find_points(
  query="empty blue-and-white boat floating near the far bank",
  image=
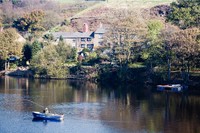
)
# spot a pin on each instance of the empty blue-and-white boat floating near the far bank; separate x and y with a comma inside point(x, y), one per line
point(171, 88)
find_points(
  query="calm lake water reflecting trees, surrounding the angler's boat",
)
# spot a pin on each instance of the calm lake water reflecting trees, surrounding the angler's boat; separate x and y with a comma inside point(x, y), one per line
point(90, 108)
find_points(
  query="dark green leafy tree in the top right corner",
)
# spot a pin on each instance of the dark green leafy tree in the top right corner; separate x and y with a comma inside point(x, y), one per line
point(185, 13)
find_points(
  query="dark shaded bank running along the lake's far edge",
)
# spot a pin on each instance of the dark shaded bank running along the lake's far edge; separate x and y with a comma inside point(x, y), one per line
point(114, 76)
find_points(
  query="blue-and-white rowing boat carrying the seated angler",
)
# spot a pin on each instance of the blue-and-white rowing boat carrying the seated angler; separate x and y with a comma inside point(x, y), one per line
point(48, 116)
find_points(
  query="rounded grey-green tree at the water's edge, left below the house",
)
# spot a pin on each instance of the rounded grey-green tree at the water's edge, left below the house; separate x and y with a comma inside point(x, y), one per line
point(47, 62)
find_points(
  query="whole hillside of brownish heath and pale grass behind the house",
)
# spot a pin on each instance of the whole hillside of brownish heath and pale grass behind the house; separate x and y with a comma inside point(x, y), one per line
point(68, 15)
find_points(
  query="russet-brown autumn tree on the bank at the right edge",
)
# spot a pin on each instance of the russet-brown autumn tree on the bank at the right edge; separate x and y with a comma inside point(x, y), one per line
point(184, 46)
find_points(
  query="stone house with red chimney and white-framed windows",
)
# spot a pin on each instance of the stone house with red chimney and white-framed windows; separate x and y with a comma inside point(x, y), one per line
point(86, 39)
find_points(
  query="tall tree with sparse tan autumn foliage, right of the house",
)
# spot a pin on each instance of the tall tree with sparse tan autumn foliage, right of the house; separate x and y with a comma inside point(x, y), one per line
point(126, 35)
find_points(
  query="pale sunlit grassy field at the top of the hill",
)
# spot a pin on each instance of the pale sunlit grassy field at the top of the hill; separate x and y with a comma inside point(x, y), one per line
point(115, 4)
